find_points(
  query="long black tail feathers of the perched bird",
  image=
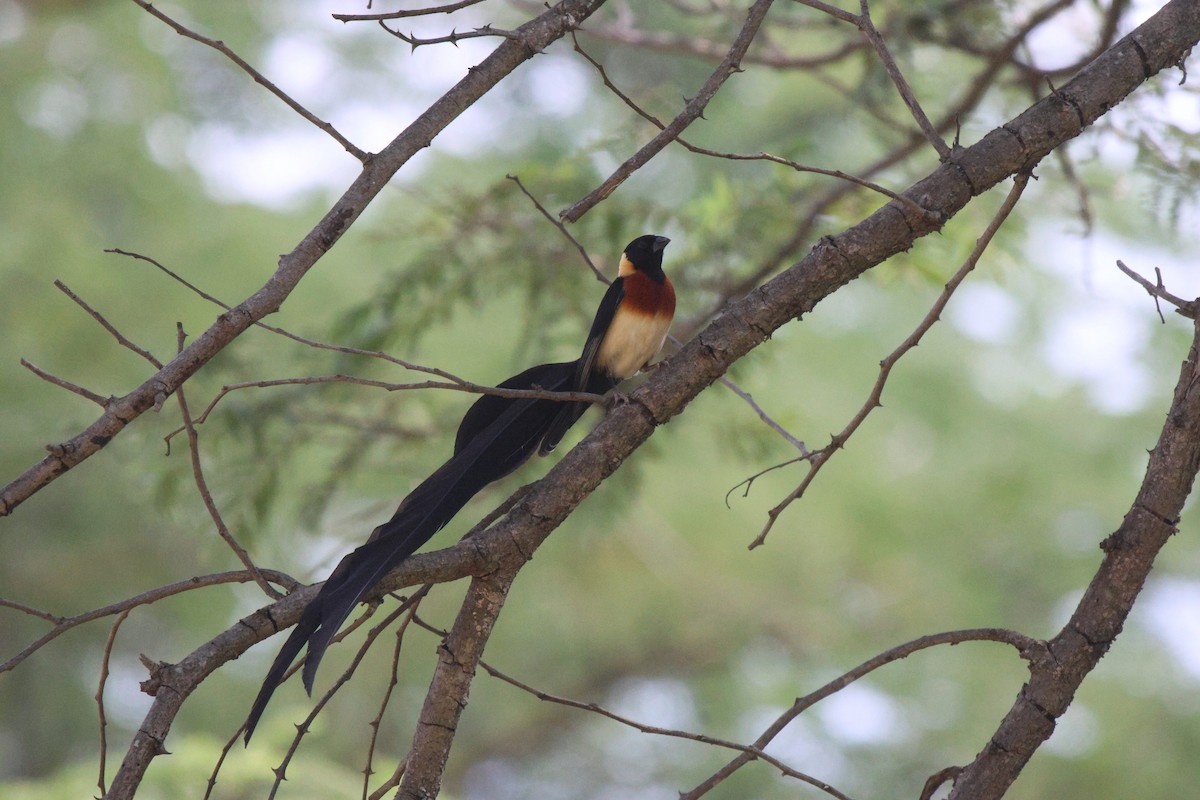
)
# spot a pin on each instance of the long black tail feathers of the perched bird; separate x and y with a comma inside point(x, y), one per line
point(496, 436)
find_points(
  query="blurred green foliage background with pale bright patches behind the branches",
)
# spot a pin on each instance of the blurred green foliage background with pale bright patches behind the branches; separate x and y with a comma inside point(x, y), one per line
point(1010, 444)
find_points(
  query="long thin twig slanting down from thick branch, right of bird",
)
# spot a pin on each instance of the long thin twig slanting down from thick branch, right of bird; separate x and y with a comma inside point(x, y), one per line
point(874, 400)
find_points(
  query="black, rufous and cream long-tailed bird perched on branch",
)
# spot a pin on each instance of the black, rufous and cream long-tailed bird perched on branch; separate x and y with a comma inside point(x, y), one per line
point(496, 437)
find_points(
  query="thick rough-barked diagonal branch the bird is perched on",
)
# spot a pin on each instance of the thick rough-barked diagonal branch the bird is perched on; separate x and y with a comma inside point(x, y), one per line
point(1017, 147)
